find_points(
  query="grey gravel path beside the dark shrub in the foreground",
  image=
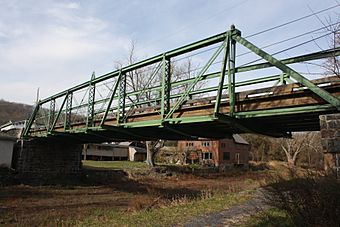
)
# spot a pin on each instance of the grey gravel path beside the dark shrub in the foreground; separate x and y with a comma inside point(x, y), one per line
point(231, 216)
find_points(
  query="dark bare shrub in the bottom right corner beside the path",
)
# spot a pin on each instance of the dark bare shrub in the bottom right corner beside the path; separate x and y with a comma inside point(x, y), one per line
point(308, 201)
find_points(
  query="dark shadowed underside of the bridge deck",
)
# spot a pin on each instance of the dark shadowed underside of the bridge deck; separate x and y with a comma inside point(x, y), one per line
point(214, 128)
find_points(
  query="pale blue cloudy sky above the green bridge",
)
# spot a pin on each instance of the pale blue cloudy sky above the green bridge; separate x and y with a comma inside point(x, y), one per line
point(55, 45)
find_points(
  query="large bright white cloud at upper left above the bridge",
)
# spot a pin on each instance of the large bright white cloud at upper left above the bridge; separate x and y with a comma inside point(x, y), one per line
point(58, 52)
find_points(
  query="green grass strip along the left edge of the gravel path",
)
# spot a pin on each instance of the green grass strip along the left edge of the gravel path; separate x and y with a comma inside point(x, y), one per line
point(176, 213)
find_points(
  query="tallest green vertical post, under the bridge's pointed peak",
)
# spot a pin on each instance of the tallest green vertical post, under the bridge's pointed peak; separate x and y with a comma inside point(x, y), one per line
point(231, 73)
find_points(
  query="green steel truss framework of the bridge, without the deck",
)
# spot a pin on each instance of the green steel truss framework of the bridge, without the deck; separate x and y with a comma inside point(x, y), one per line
point(168, 103)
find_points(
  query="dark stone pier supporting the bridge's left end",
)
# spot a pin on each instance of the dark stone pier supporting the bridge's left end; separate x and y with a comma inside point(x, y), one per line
point(42, 158)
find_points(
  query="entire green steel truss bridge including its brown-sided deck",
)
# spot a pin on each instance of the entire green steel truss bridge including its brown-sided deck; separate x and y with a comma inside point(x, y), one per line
point(150, 100)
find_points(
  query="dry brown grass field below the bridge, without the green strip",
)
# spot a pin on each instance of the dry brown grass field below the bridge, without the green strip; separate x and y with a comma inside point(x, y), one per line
point(51, 205)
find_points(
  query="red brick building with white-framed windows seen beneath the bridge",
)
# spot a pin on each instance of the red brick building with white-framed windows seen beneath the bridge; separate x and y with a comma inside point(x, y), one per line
point(222, 153)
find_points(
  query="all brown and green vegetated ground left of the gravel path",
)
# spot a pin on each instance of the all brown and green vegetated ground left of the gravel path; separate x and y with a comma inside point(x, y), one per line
point(113, 195)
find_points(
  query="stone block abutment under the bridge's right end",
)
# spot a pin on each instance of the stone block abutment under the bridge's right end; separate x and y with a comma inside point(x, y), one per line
point(330, 139)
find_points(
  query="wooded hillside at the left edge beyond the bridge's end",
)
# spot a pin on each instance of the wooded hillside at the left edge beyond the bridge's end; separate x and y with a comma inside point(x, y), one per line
point(11, 111)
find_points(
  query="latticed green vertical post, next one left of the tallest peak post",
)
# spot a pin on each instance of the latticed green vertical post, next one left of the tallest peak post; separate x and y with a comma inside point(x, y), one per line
point(166, 86)
